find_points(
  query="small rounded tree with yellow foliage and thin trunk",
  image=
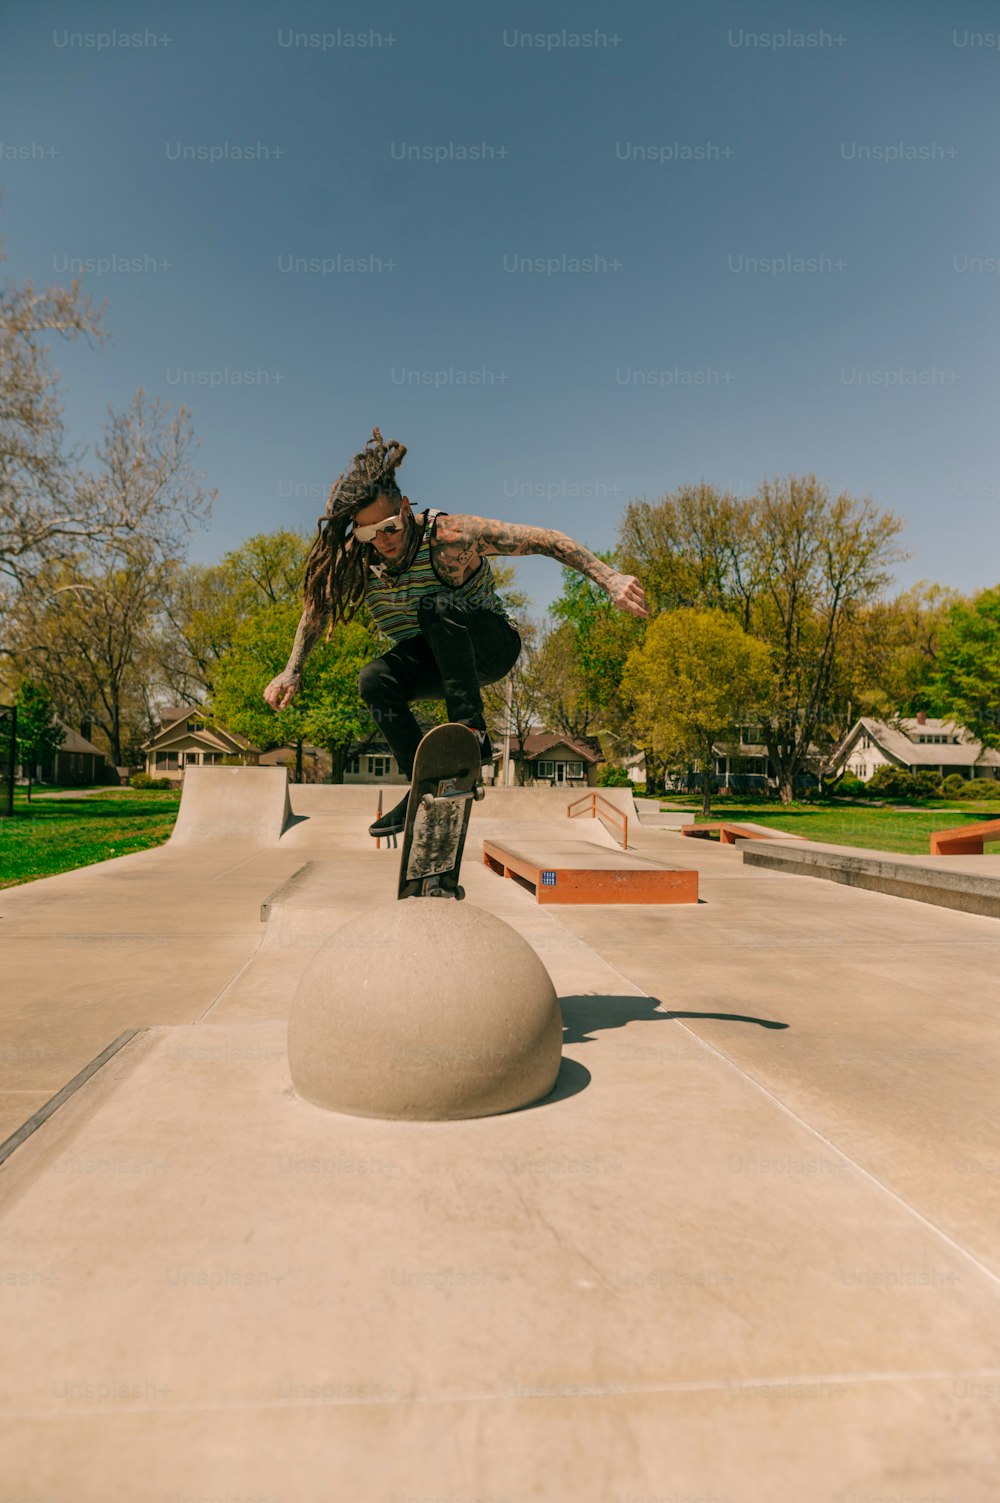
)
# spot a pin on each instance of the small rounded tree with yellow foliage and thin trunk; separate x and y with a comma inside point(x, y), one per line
point(695, 679)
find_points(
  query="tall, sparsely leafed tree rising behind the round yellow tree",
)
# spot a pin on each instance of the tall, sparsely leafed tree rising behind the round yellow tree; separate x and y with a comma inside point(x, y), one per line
point(793, 567)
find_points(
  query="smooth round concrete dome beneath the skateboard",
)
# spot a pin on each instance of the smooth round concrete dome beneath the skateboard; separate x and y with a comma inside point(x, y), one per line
point(426, 1009)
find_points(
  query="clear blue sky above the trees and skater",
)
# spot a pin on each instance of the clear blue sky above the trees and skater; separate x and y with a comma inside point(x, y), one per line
point(569, 255)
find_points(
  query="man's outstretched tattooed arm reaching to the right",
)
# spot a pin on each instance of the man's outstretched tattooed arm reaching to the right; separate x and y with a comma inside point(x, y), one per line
point(459, 543)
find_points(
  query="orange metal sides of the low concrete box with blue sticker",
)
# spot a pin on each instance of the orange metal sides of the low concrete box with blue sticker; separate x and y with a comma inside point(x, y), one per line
point(592, 885)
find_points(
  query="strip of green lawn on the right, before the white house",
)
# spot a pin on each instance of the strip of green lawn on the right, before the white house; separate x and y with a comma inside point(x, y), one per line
point(905, 830)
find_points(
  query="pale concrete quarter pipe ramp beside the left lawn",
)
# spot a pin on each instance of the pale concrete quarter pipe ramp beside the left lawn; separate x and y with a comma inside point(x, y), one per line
point(232, 805)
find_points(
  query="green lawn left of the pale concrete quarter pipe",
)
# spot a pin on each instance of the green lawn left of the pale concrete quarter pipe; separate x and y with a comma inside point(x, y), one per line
point(59, 835)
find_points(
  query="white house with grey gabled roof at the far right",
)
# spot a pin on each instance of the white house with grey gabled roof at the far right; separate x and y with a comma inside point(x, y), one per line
point(918, 745)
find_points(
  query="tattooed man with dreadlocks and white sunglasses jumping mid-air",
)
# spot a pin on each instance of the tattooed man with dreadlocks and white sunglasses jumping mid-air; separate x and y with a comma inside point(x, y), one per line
point(429, 587)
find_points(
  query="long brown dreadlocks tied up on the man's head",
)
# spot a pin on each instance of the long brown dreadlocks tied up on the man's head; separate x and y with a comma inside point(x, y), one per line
point(338, 564)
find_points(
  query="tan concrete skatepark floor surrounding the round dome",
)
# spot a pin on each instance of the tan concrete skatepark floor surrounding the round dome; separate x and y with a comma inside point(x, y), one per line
point(747, 1250)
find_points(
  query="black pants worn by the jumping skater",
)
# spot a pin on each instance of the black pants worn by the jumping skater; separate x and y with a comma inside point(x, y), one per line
point(459, 649)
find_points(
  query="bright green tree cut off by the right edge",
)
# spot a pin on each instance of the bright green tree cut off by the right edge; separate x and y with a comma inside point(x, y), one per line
point(966, 679)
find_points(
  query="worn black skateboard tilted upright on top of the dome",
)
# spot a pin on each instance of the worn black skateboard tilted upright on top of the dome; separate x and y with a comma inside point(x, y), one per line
point(446, 781)
